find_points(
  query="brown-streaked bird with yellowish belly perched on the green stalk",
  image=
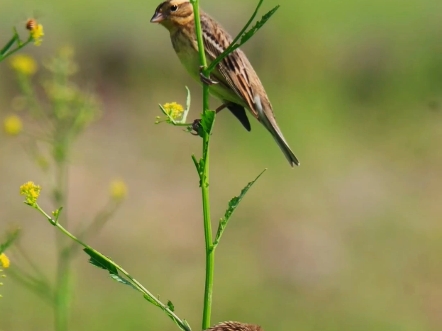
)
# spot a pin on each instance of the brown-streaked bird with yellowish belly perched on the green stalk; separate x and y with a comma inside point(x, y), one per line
point(233, 81)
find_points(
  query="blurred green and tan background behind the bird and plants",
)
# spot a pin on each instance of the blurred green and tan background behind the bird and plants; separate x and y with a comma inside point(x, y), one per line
point(351, 240)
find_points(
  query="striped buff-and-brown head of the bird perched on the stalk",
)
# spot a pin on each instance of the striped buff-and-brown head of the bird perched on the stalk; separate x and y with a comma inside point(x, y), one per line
point(173, 13)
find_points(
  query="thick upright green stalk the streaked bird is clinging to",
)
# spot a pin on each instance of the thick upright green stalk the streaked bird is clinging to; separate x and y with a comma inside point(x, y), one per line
point(204, 179)
